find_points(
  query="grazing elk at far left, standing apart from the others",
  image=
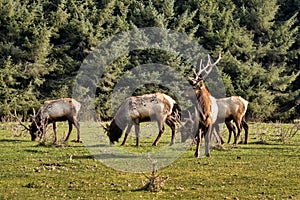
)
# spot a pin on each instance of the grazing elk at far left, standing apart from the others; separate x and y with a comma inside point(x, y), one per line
point(65, 109)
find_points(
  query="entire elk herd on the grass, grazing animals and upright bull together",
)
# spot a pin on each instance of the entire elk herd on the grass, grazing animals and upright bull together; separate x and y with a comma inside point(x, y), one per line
point(208, 113)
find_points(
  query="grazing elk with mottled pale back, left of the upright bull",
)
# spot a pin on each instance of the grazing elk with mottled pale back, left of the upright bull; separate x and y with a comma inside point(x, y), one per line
point(136, 109)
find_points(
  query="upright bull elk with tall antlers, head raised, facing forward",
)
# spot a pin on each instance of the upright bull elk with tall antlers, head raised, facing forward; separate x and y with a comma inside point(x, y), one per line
point(205, 105)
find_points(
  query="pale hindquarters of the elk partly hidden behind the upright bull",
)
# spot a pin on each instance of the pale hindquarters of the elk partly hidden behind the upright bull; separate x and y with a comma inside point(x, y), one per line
point(232, 108)
